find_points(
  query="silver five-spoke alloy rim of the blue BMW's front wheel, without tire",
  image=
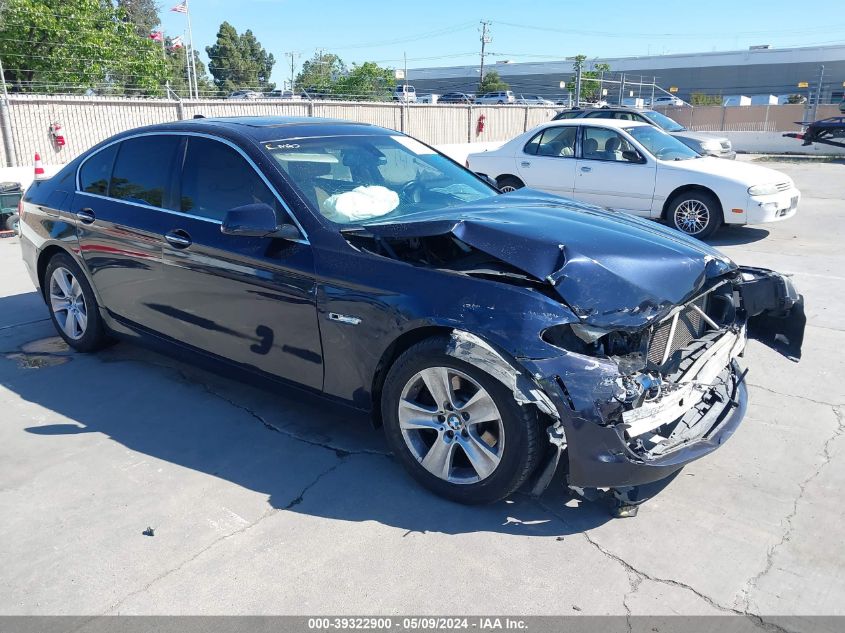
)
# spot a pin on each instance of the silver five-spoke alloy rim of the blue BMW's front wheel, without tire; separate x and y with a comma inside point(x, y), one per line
point(451, 425)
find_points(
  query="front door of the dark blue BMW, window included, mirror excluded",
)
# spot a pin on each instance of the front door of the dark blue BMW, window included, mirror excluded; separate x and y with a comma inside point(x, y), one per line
point(250, 300)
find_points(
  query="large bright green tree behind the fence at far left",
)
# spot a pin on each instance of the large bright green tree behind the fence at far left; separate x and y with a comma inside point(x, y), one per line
point(75, 46)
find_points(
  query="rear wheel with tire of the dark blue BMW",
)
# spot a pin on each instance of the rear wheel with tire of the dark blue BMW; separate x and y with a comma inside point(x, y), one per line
point(73, 306)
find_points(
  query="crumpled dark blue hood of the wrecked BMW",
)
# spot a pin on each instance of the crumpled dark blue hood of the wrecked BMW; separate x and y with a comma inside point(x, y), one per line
point(611, 268)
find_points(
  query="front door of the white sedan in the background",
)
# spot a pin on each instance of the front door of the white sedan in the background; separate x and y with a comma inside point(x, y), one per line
point(606, 178)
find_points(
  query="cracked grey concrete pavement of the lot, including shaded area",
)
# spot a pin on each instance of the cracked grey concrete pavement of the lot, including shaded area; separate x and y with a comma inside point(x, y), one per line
point(268, 503)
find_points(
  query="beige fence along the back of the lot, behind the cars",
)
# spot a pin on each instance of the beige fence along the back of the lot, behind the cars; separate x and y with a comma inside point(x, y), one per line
point(89, 120)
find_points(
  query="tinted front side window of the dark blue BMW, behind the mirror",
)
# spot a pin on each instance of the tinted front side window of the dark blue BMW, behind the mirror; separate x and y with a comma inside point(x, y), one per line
point(216, 178)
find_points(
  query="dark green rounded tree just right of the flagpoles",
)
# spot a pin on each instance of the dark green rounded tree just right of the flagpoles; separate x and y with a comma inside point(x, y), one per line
point(239, 62)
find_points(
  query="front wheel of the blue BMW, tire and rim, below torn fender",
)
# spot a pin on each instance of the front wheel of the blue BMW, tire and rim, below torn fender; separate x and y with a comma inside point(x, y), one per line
point(456, 429)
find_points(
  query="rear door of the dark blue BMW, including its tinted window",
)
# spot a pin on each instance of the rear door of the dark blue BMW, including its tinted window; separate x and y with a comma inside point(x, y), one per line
point(124, 196)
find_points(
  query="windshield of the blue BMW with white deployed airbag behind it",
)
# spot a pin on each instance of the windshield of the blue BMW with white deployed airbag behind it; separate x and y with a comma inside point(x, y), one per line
point(353, 179)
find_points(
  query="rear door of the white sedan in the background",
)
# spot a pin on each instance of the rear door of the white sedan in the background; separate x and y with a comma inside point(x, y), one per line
point(547, 161)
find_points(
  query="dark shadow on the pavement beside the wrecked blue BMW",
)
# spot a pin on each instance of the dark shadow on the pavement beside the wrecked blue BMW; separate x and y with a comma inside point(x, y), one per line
point(265, 442)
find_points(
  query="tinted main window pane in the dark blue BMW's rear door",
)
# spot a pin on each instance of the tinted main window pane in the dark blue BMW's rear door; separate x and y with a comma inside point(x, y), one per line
point(144, 170)
